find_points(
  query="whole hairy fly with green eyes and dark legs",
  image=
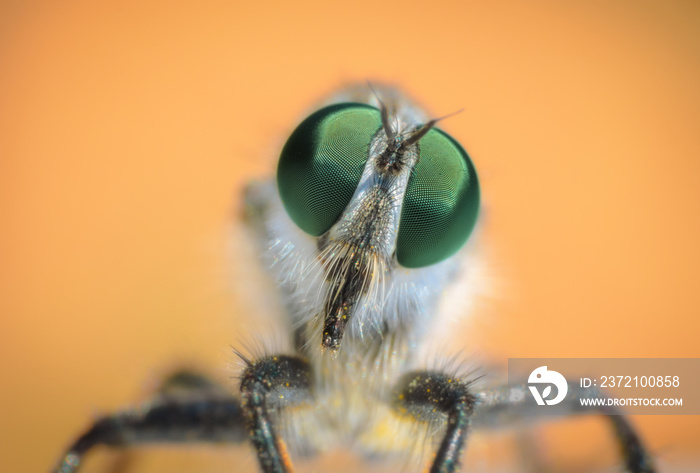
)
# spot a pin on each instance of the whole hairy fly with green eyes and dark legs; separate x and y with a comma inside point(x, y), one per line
point(362, 232)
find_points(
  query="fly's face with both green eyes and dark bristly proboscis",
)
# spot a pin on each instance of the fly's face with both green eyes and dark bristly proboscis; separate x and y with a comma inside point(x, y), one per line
point(379, 196)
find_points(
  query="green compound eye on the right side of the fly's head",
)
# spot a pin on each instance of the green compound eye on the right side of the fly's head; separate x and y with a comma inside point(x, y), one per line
point(441, 203)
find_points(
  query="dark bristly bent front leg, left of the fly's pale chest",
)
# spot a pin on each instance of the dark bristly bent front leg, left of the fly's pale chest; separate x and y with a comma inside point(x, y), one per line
point(272, 382)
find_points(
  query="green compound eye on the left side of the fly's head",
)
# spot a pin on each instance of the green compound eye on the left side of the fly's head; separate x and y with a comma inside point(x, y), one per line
point(322, 162)
